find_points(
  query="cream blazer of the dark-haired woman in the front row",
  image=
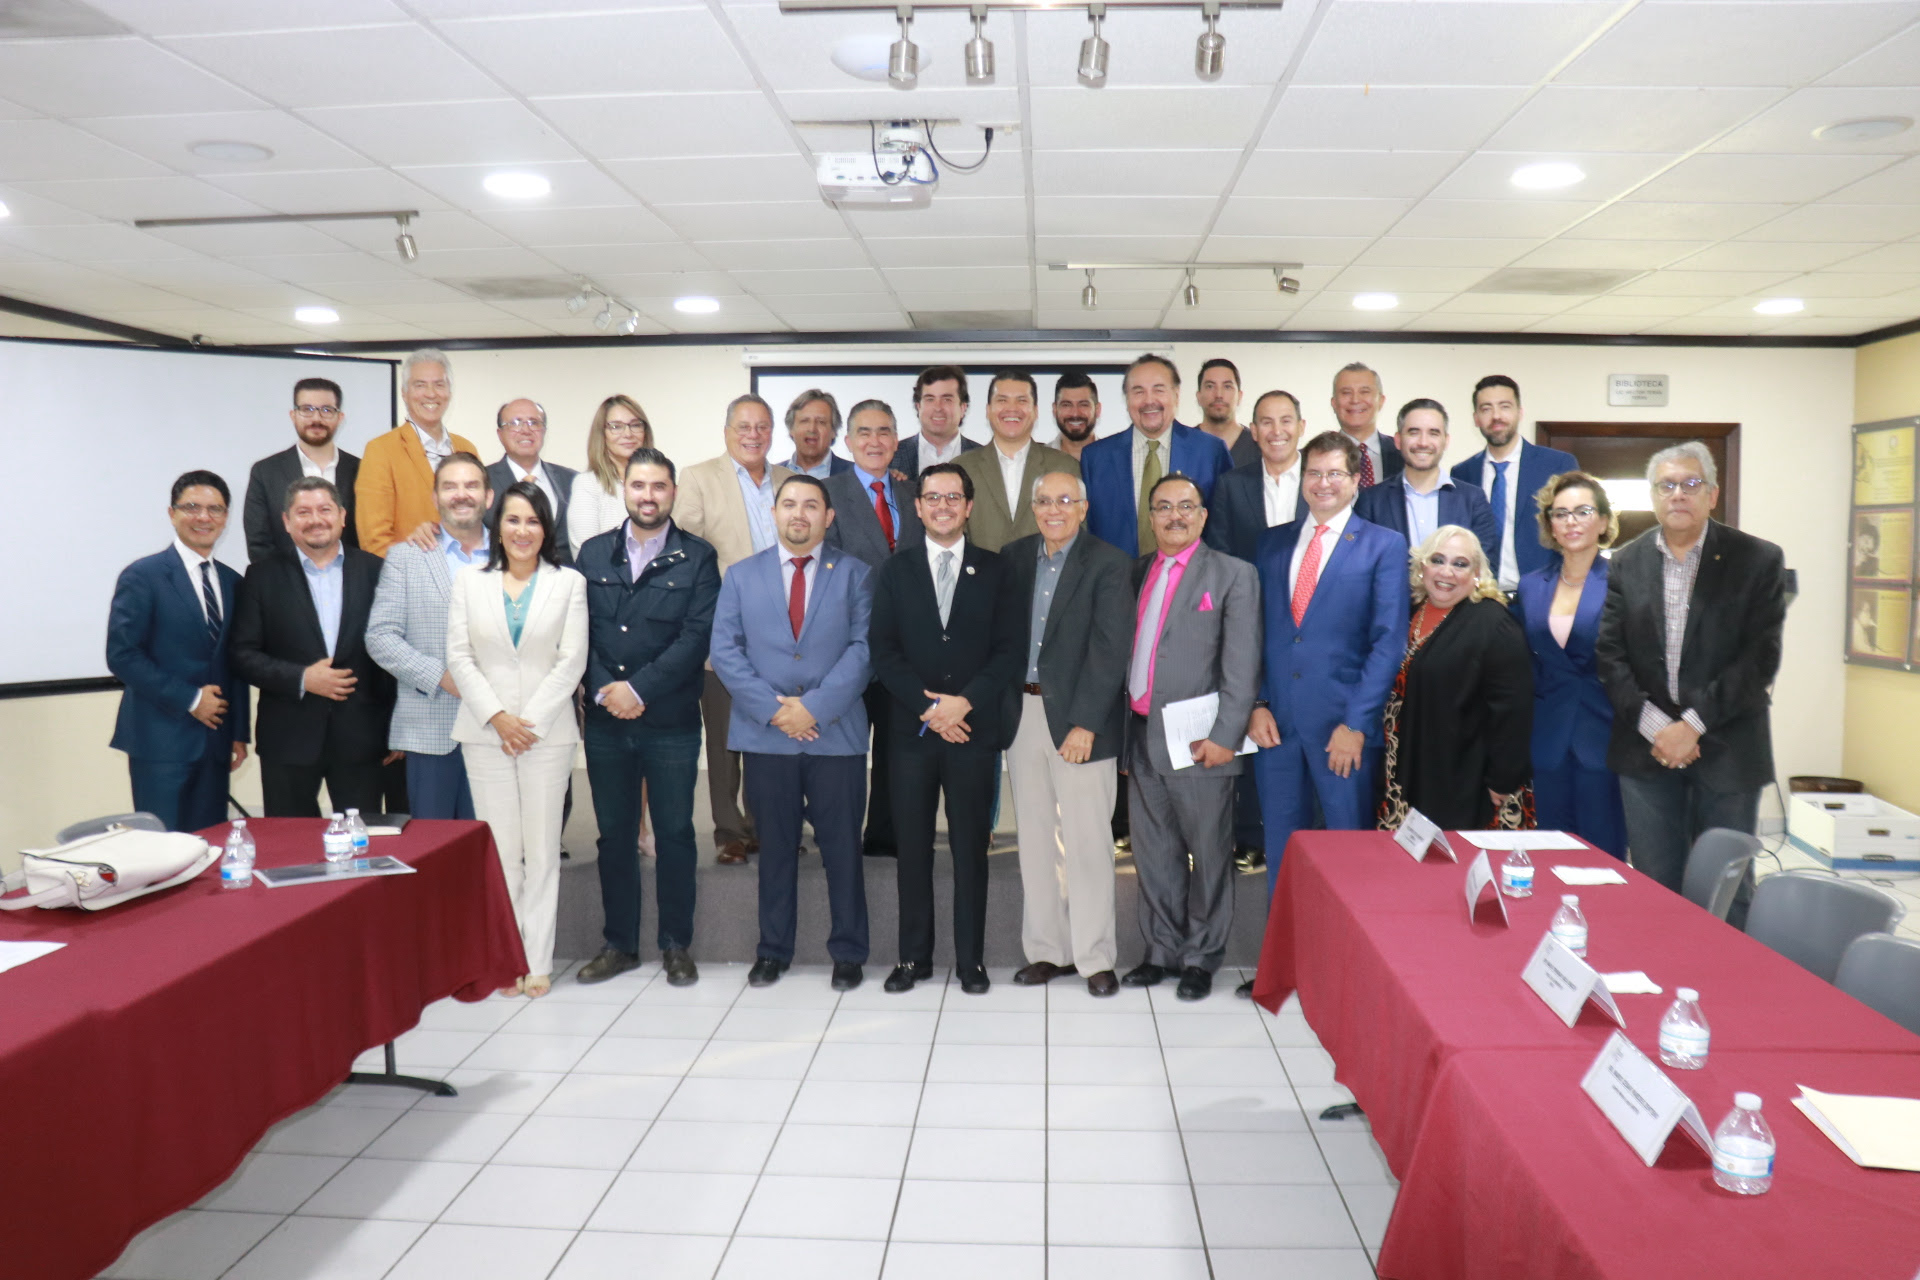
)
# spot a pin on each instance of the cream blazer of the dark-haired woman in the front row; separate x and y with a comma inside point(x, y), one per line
point(535, 682)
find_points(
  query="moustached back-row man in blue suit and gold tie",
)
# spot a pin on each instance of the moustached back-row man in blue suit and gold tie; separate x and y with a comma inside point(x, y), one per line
point(1122, 469)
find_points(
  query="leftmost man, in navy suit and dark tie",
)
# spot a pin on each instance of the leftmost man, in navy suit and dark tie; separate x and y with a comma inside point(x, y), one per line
point(168, 632)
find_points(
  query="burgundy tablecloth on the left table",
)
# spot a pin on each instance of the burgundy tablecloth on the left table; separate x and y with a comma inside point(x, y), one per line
point(143, 1062)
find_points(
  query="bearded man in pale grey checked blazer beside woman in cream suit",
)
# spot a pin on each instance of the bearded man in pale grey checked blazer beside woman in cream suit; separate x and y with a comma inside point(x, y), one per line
point(408, 638)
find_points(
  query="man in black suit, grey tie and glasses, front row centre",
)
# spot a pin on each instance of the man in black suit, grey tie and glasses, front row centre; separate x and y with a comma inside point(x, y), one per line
point(946, 640)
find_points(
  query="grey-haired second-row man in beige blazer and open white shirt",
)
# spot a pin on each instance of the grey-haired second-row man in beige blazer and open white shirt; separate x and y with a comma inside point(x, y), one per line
point(729, 502)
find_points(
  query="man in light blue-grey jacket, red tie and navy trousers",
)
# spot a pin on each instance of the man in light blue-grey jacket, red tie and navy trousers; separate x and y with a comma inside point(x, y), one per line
point(790, 644)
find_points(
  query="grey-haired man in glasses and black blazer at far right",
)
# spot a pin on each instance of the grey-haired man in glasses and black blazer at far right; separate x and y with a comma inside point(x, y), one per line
point(1689, 652)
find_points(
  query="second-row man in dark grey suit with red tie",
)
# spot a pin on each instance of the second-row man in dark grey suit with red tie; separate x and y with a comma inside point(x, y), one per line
point(875, 515)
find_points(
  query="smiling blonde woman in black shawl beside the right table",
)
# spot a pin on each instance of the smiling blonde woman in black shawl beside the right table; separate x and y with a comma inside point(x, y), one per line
point(1460, 717)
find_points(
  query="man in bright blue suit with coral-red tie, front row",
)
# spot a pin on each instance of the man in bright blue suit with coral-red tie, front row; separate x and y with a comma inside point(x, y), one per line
point(1335, 598)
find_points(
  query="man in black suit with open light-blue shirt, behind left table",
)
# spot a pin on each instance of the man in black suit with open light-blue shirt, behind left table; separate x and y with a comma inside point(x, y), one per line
point(300, 638)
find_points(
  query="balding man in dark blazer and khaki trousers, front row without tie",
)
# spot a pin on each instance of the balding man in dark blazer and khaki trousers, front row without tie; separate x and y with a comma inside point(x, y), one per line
point(1072, 723)
